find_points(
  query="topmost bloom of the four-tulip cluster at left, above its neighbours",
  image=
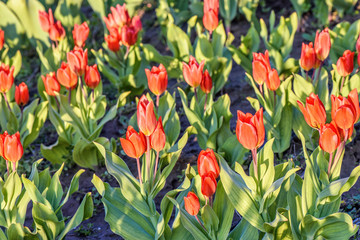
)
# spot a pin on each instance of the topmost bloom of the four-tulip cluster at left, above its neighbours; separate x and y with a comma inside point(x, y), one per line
point(77, 60)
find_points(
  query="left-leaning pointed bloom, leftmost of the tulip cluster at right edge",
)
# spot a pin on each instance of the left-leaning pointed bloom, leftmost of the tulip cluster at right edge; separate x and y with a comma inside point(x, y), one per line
point(313, 111)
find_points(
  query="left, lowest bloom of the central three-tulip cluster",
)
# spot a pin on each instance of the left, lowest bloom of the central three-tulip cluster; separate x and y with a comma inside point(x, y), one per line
point(134, 144)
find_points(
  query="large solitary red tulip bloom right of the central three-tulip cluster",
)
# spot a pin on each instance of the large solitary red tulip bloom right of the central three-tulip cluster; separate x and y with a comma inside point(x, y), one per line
point(250, 129)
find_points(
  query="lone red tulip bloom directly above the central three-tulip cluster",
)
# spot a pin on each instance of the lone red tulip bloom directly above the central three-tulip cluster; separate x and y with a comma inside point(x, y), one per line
point(157, 79)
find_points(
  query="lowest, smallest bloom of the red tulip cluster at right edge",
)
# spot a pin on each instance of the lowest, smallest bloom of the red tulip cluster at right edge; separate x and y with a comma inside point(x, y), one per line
point(329, 139)
